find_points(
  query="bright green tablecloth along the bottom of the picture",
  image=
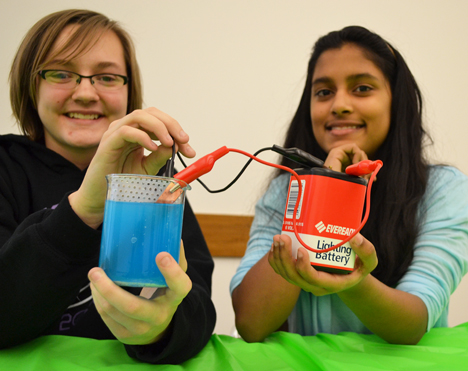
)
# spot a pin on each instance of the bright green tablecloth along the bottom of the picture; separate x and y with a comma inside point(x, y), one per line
point(440, 349)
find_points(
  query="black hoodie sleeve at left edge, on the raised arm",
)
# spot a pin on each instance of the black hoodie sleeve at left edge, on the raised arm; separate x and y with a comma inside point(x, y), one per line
point(43, 264)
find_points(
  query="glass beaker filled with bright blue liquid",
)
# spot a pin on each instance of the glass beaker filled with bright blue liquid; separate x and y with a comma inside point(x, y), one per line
point(142, 216)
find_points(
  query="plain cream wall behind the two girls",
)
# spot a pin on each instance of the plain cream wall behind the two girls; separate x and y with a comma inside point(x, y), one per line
point(232, 72)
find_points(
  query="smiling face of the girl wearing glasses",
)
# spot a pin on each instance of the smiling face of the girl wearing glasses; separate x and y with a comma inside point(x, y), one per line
point(75, 119)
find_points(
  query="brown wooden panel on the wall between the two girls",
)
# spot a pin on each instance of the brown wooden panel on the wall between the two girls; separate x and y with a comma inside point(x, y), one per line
point(226, 235)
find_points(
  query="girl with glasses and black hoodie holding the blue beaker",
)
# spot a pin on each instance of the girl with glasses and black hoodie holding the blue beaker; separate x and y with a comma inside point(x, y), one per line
point(76, 94)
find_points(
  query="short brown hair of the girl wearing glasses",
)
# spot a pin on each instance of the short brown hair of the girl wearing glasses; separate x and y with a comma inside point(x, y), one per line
point(34, 53)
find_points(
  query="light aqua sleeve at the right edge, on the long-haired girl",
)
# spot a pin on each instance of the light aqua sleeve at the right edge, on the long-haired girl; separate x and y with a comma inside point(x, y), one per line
point(441, 250)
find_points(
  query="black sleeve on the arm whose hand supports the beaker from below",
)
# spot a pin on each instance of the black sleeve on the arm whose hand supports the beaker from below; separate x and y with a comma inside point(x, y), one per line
point(194, 320)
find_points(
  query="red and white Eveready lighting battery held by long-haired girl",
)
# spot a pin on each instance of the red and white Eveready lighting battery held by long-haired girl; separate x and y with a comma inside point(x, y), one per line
point(330, 210)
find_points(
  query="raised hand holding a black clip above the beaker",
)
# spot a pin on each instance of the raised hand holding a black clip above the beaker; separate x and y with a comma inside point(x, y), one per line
point(121, 150)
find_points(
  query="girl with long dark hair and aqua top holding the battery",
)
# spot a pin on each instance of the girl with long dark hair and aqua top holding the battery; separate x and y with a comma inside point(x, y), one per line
point(360, 102)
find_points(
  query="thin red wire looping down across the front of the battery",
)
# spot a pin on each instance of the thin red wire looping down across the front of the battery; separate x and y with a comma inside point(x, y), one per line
point(363, 222)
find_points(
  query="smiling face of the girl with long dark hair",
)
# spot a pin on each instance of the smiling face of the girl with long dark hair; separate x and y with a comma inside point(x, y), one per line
point(351, 100)
